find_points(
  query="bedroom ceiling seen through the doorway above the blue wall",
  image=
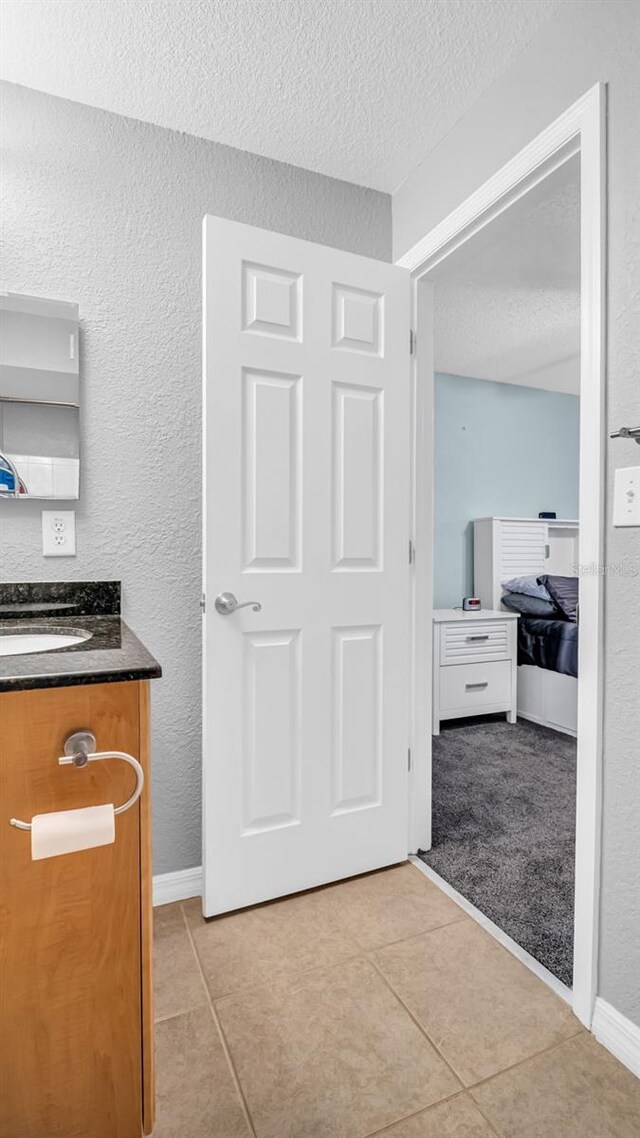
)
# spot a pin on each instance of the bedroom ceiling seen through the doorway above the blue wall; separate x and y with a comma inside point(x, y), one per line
point(507, 304)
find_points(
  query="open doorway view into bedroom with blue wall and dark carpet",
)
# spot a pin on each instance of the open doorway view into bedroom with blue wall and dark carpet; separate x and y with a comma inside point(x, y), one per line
point(507, 336)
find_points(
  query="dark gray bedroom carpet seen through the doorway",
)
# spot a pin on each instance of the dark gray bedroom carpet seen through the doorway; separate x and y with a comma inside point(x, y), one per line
point(504, 830)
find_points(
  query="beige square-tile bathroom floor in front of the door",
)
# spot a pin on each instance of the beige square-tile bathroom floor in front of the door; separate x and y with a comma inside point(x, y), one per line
point(371, 1008)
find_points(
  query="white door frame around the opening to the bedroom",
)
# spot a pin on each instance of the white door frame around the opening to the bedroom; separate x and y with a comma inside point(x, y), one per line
point(580, 130)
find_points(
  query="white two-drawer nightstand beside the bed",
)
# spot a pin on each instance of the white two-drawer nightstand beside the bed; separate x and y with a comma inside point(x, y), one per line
point(475, 664)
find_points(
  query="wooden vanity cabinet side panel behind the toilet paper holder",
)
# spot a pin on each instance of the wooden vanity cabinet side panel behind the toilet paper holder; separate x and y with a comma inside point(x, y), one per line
point(76, 930)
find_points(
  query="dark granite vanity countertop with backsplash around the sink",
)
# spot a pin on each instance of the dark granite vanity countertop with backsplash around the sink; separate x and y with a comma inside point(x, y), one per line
point(113, 654)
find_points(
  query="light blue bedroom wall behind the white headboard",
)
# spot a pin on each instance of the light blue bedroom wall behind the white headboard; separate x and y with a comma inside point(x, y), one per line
point(503, 451)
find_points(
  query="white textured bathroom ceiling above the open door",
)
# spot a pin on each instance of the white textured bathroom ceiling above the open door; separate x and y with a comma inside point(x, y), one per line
point(356, 89)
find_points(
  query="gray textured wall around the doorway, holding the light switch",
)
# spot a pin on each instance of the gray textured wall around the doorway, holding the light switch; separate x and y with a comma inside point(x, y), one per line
point(592, 42)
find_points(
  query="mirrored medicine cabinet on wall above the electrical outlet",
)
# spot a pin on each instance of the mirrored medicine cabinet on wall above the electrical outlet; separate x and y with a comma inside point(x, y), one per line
point(39, 398)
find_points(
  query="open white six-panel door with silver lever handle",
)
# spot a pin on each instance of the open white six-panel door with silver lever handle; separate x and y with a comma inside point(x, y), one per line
point(307, 513)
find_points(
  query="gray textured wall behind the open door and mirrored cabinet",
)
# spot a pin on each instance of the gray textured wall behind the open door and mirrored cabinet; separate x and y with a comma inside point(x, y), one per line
point(108, 212)
